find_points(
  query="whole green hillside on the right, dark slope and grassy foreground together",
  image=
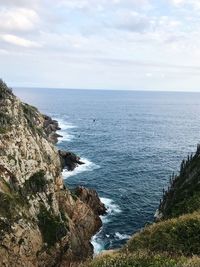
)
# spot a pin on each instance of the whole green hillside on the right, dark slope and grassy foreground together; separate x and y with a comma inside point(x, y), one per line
point(174, 239)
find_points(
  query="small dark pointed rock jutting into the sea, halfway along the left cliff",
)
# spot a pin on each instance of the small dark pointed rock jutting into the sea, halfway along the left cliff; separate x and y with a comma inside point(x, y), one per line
point(69, 160)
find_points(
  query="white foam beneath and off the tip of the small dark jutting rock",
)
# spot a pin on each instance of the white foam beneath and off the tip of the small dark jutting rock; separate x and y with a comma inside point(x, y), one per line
point(88, 166)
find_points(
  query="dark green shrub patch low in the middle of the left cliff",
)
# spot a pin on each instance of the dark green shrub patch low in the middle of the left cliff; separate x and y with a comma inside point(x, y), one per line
point(51, 226)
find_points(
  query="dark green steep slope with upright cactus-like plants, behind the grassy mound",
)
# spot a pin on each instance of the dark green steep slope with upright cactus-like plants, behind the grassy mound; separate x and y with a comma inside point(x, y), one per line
point(183, 195)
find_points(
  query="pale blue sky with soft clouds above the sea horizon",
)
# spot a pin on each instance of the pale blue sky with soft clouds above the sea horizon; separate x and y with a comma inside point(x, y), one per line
point(101, 44)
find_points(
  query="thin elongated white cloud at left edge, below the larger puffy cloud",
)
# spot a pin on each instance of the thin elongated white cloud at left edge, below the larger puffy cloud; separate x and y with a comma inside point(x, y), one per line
point(15, 40)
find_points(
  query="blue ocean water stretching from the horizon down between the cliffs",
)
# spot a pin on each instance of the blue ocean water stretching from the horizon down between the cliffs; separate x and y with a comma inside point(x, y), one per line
point(131, 142)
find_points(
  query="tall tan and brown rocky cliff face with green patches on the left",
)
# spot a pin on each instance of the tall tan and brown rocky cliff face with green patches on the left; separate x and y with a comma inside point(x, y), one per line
point(41, 222)
